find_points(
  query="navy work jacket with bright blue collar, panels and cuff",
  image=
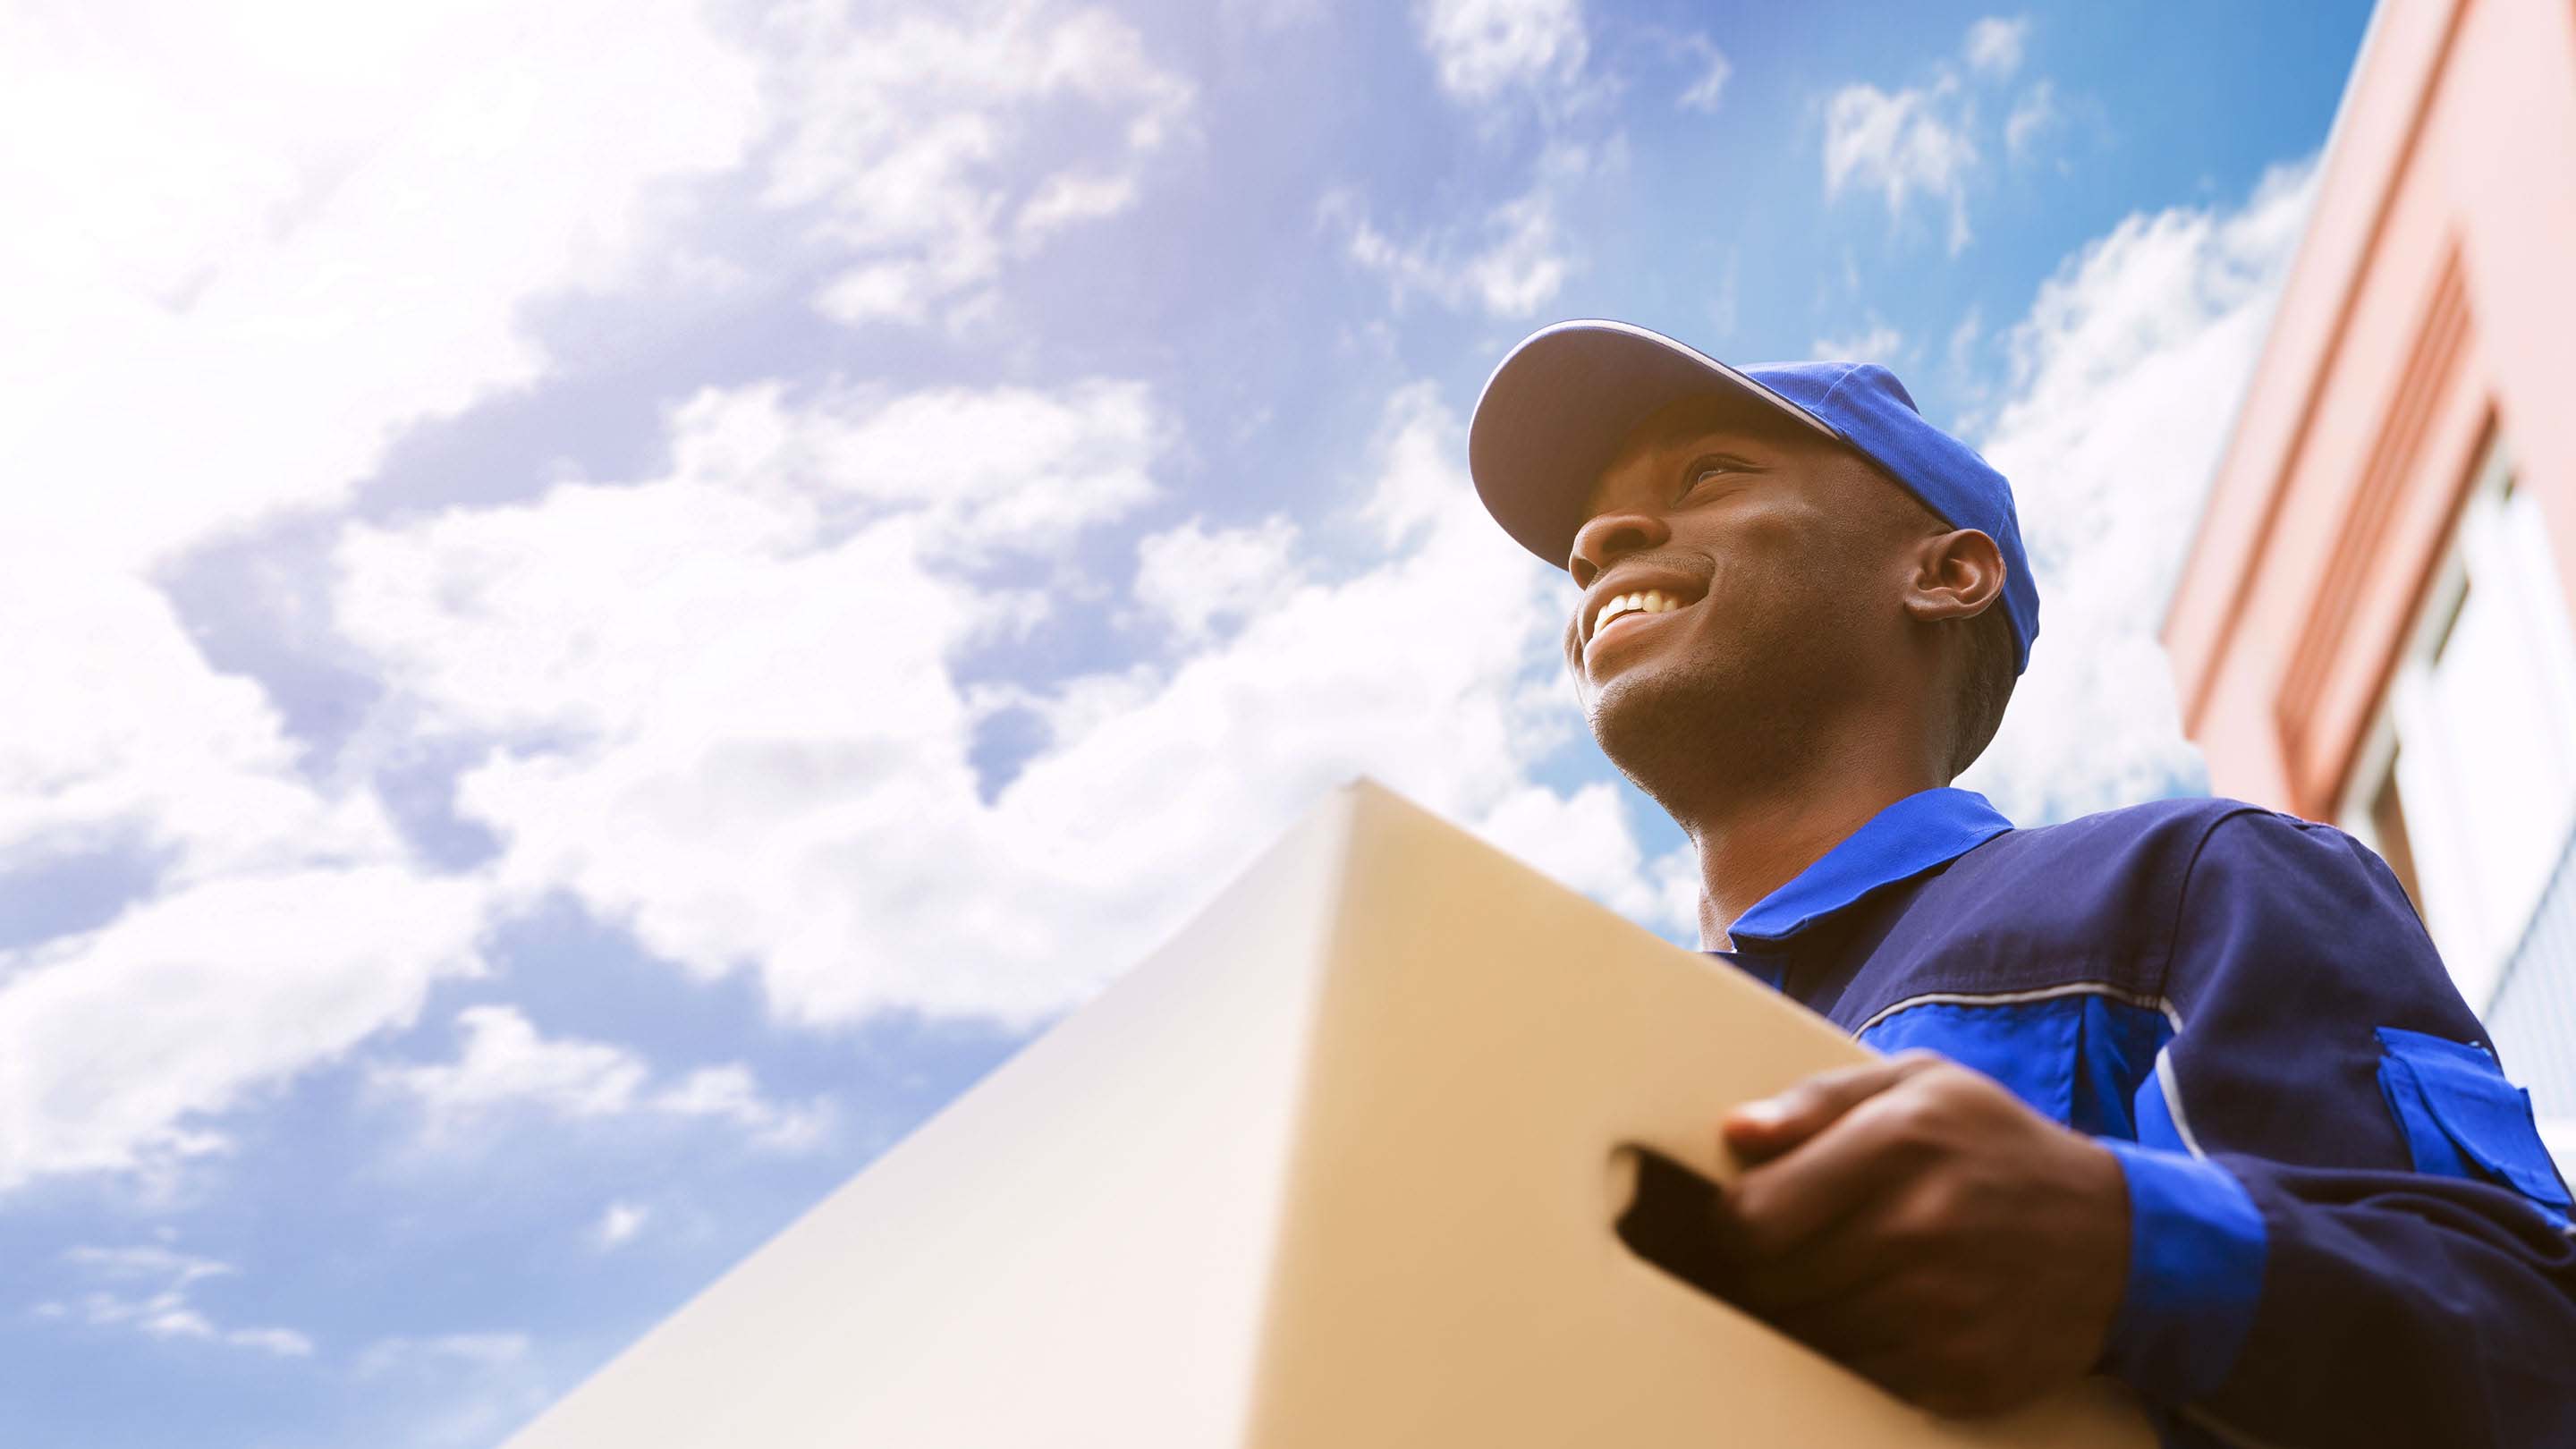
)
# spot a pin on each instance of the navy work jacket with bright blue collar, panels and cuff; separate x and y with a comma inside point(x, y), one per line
point(2343, 1221)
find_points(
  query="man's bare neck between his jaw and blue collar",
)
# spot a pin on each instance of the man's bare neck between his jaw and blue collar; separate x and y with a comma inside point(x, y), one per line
point(1761, 842)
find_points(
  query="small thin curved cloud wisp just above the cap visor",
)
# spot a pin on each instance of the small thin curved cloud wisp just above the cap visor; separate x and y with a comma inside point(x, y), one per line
point(1508, 264)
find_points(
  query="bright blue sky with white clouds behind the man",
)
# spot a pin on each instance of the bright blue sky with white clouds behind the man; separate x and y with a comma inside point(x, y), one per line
point(612, 605)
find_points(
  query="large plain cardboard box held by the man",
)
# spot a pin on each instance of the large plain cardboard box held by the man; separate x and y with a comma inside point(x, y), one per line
point(1341, 1167)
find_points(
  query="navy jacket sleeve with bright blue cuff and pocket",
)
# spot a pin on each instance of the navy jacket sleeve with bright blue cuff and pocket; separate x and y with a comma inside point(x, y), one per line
point(2343, 1223)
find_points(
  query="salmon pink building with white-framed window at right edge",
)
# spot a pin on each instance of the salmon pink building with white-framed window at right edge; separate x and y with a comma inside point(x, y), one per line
point(2374, 623)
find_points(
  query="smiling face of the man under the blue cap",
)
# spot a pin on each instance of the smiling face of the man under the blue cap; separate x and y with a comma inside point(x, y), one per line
point(1740, 581)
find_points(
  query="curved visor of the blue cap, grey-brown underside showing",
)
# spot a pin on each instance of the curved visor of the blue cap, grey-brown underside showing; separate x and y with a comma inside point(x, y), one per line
point(1557, 411)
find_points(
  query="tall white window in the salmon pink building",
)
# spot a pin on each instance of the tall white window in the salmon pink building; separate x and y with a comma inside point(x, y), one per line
point(2469, 777)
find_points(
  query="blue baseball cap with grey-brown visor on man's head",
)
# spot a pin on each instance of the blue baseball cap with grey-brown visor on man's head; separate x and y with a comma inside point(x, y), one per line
point(1560, 406)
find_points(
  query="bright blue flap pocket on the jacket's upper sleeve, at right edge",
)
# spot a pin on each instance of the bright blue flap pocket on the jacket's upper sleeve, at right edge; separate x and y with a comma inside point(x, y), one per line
point(2467, 1120)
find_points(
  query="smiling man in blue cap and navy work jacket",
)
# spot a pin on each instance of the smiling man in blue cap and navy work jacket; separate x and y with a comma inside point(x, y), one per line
point(2178, 1092)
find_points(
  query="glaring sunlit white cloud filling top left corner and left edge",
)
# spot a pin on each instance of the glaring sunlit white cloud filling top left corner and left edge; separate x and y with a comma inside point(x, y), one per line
point(256, 244)
